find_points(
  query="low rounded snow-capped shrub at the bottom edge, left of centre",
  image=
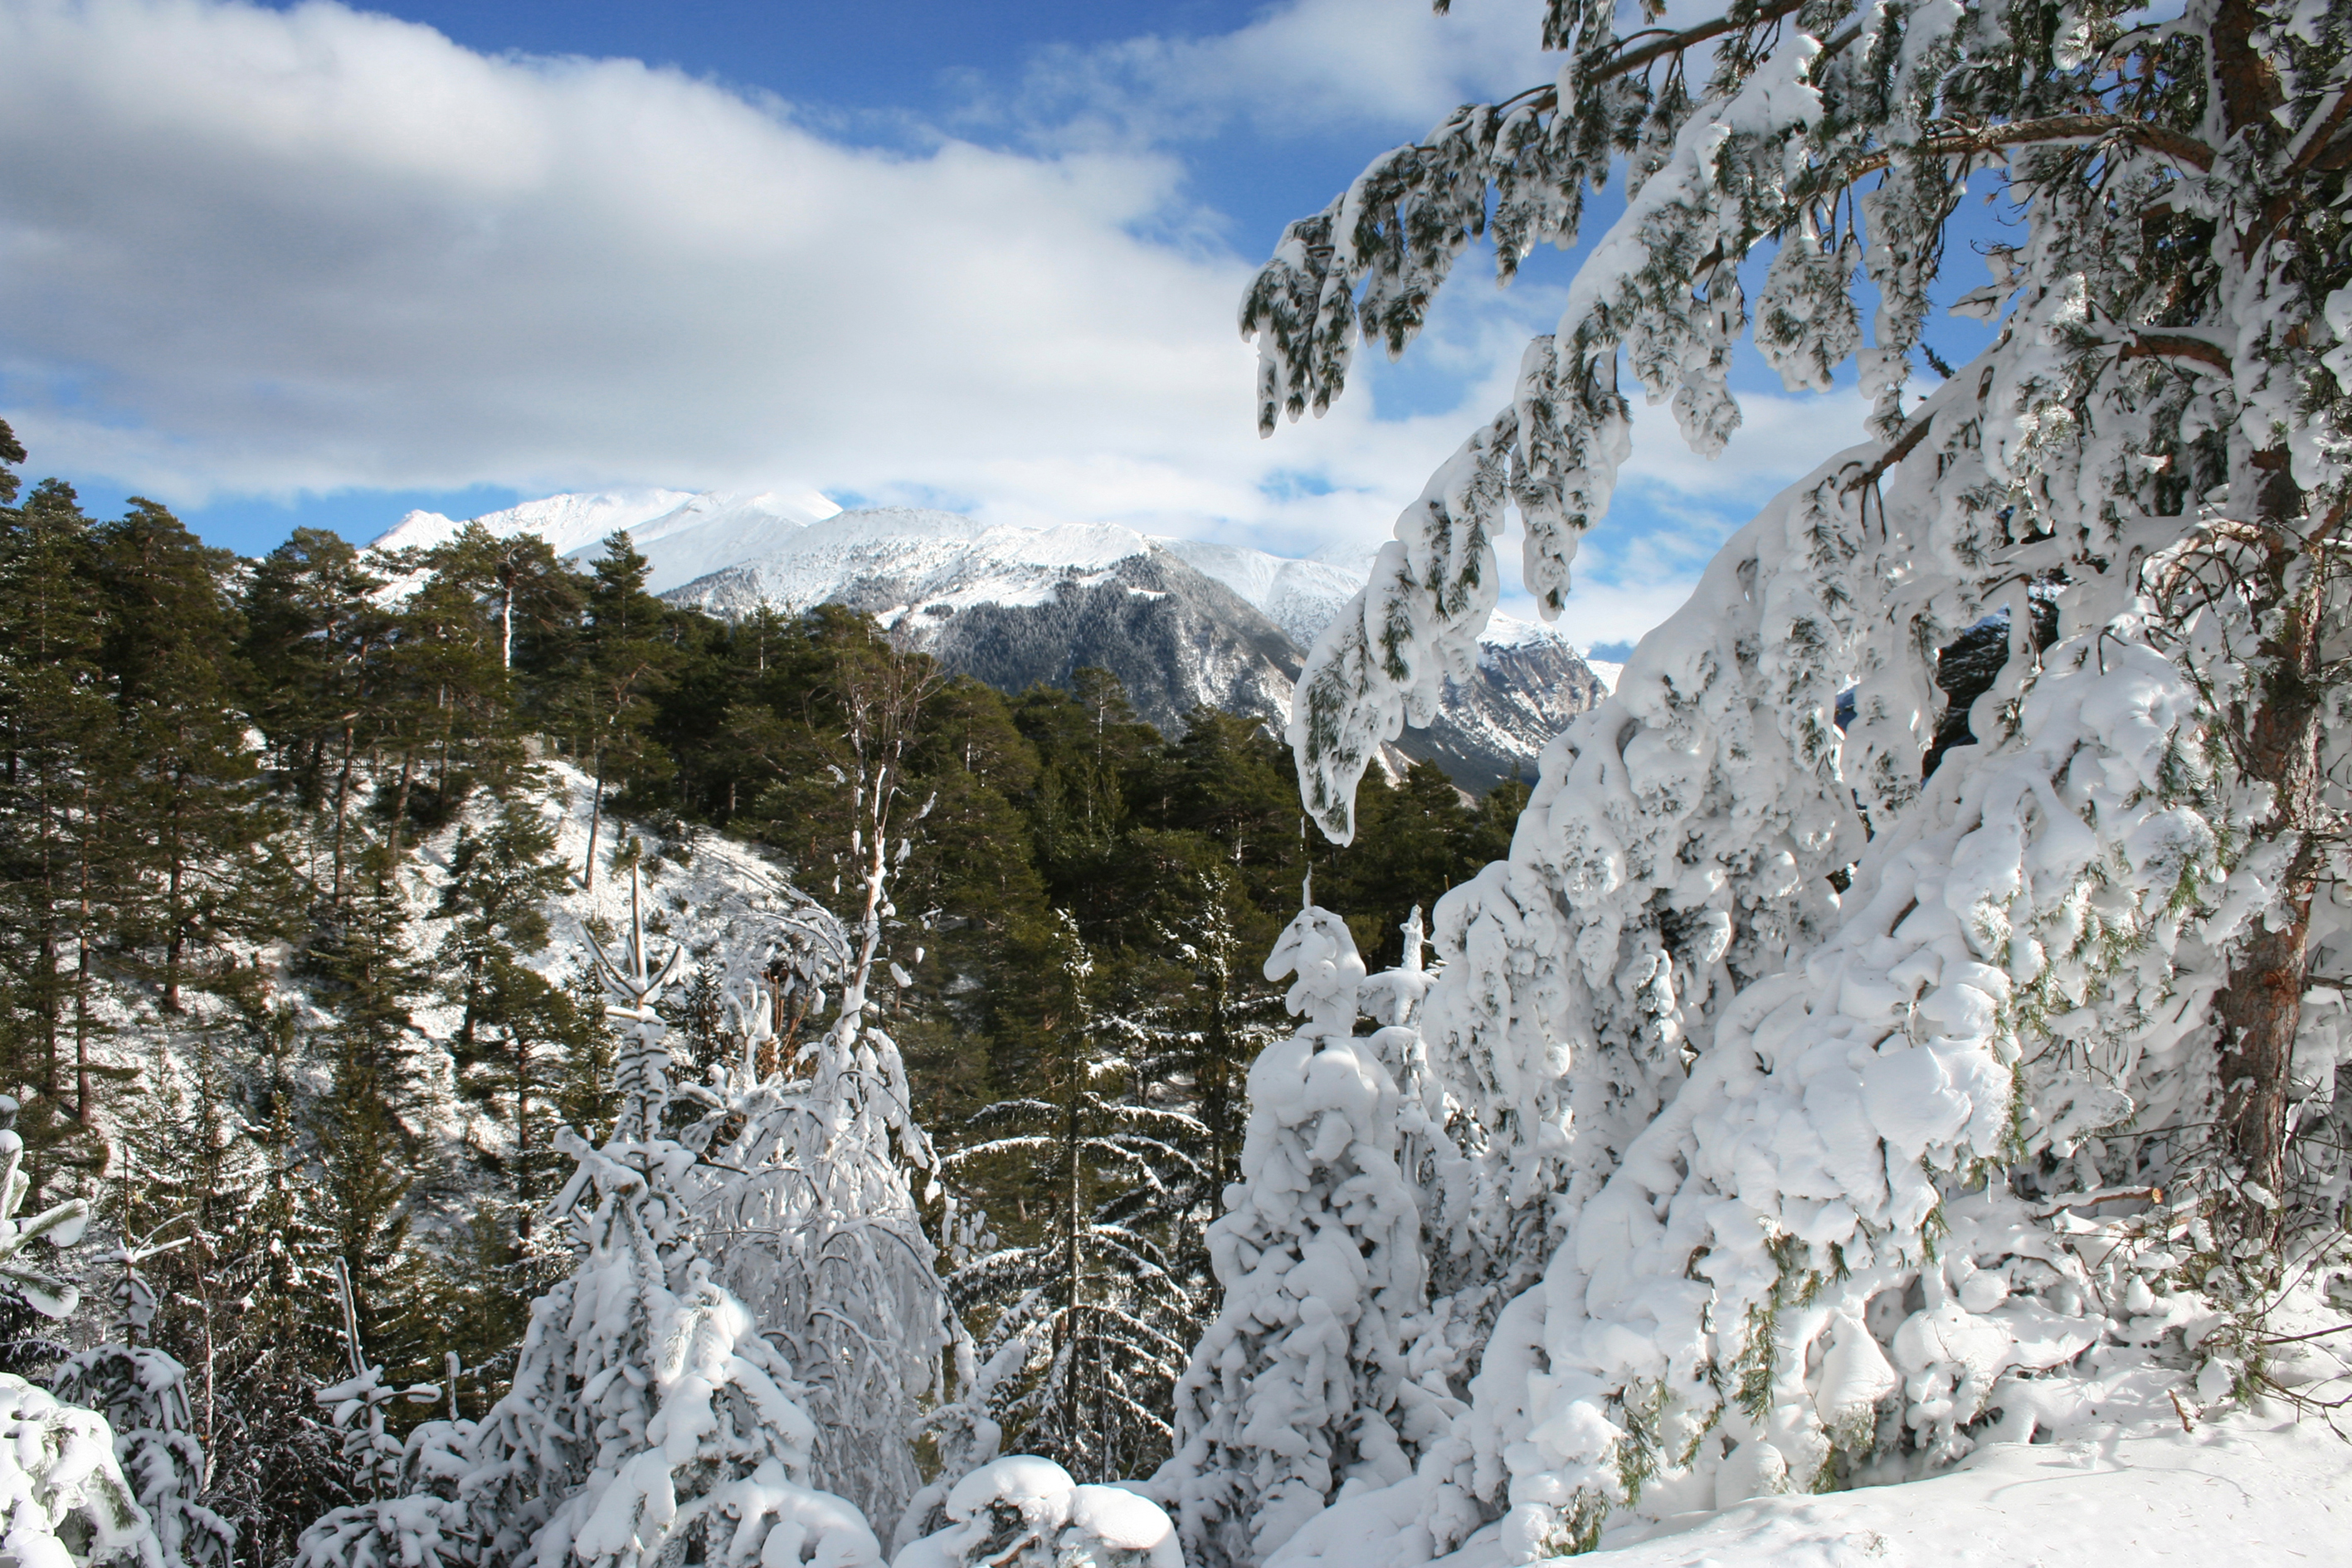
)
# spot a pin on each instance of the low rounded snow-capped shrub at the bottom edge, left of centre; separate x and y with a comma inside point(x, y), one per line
point(1027, 1513)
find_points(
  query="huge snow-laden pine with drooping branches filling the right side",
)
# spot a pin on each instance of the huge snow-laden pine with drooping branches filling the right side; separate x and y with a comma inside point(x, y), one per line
point(1782, 1071)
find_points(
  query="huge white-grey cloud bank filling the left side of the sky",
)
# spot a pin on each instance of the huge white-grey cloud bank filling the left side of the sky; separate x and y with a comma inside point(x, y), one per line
point(265, 253)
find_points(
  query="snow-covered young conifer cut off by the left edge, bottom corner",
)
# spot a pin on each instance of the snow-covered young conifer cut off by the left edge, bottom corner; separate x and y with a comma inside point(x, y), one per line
point(62, 1494)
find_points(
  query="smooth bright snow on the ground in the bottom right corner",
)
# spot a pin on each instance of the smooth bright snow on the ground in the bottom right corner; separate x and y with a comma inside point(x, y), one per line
point(2243, 1492)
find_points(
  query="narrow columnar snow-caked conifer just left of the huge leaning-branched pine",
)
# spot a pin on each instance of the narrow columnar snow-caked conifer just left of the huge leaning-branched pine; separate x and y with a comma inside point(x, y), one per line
point(1302, 1381)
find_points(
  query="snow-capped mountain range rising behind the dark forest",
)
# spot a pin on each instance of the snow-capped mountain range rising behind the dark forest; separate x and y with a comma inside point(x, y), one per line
point(1182, 622)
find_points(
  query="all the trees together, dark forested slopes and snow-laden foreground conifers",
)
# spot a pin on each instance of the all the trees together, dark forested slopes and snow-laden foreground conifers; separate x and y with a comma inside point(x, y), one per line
point(502, 1068)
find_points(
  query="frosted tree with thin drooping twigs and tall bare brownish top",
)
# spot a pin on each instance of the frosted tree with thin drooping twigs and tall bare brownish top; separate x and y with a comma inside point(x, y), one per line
point(822, 1235)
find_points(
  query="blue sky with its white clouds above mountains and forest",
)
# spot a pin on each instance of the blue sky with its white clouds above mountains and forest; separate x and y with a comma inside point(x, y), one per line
point(326, 264)
